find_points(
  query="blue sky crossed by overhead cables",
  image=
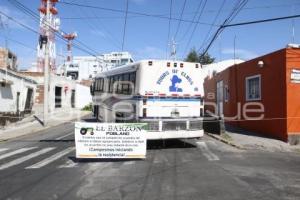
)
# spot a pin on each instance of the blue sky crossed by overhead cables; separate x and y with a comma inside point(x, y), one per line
point(146, 37)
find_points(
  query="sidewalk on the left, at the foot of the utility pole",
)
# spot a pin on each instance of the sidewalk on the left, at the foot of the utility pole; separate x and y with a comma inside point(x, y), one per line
point(33, 123)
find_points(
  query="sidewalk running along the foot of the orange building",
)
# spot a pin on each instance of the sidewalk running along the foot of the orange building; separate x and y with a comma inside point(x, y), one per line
point(248, 140)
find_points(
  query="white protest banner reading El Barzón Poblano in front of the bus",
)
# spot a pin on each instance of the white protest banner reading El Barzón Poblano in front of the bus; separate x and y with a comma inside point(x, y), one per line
point(110, 140)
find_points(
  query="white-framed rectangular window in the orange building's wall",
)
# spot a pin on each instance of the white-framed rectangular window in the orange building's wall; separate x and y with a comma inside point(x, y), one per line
point(253, 88)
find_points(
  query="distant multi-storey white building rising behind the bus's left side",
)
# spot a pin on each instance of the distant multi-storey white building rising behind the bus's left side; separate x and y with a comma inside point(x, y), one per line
point(86, 67)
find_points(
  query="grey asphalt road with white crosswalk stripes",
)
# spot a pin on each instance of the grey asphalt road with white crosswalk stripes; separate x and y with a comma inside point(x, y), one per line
point(43, 166)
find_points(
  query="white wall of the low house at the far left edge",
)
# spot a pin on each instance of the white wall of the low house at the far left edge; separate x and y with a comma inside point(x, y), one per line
point(8, 92)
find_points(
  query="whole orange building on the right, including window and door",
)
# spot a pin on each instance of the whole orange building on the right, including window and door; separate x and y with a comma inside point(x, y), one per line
point(260, 95)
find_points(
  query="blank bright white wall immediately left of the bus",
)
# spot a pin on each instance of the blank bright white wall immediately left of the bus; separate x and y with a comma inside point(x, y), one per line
point(83, 96)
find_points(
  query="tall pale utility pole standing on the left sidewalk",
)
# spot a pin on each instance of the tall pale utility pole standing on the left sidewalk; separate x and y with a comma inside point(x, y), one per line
point(46, 67)
